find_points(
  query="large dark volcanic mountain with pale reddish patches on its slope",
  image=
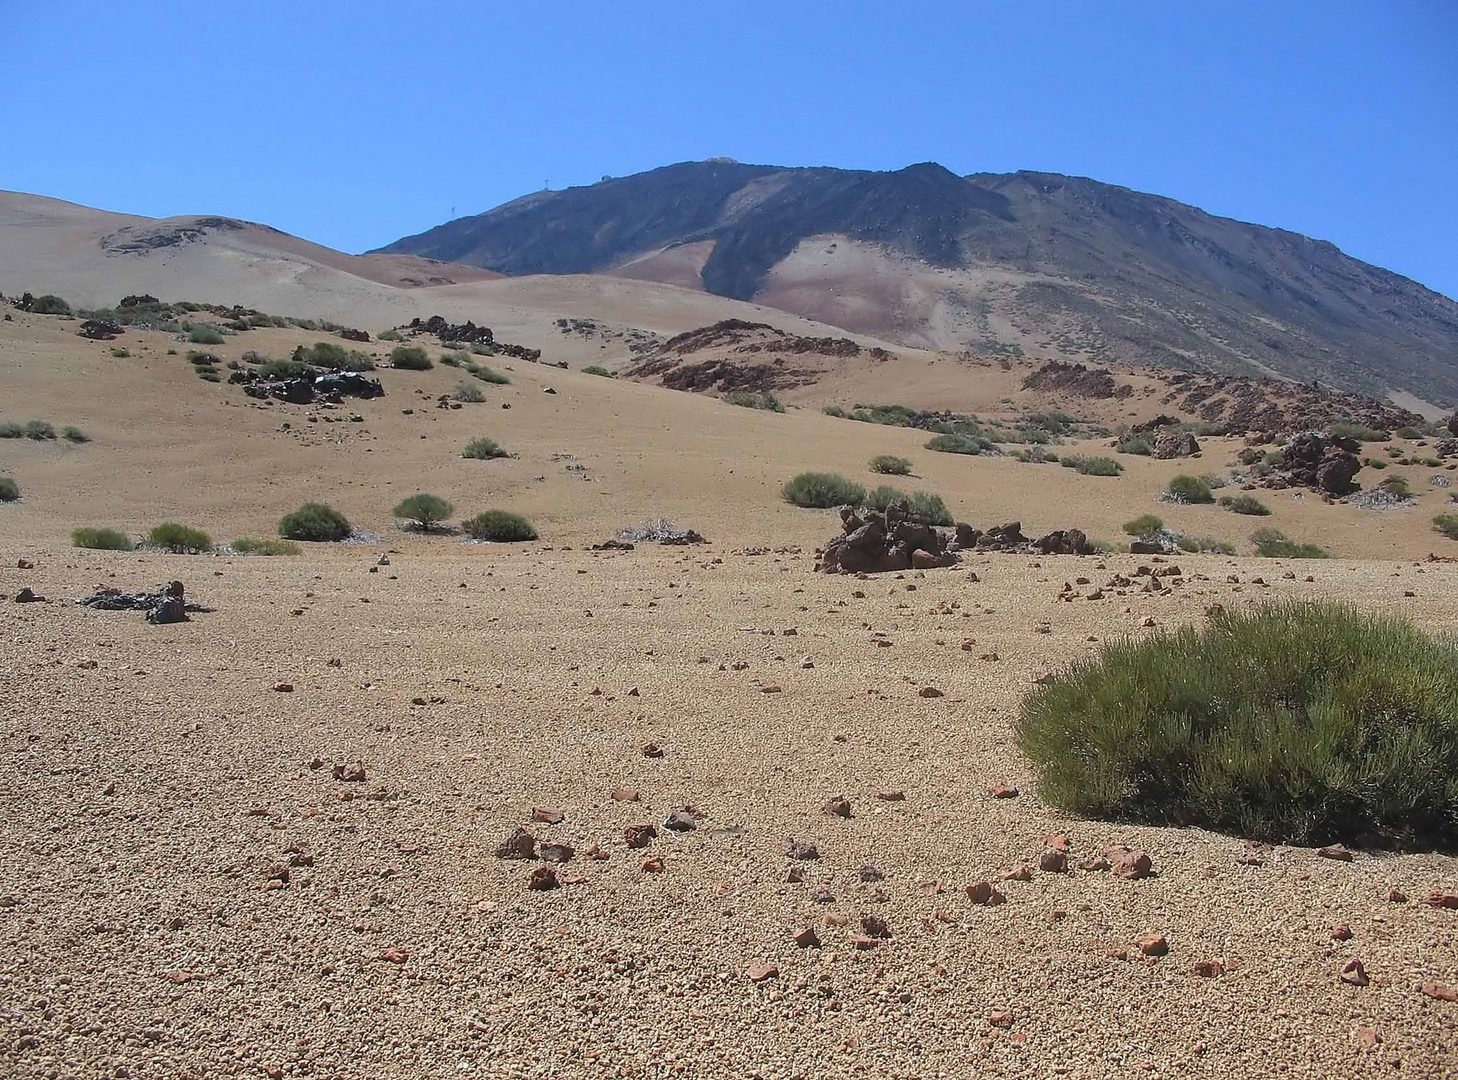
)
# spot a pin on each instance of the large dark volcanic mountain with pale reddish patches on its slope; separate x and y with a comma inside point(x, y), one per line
point(1029, 263)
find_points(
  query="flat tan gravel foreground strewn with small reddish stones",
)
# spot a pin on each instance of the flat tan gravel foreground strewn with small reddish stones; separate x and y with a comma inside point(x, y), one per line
point(158, 785)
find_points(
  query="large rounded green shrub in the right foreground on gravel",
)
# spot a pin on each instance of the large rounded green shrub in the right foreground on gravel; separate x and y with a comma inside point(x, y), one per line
point(1297, 725)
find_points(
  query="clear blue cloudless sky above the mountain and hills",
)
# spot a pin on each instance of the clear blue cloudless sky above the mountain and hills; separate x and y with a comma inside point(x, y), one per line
point(356, 123)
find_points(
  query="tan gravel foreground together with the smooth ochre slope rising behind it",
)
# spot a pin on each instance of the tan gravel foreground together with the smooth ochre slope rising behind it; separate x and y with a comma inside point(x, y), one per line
point(187, 890)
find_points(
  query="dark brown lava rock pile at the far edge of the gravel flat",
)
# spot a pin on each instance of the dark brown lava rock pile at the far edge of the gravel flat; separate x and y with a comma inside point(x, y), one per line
point(876, 543)
